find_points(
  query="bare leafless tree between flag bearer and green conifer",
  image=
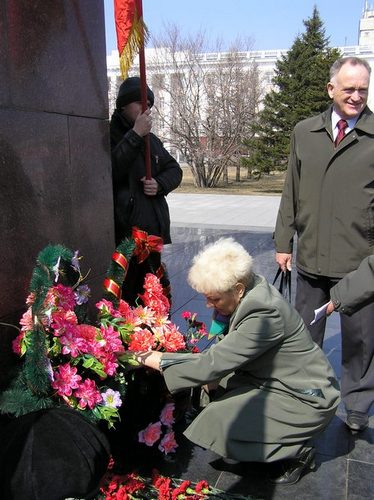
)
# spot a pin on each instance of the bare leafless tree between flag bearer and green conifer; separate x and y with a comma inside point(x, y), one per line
point(206, 101)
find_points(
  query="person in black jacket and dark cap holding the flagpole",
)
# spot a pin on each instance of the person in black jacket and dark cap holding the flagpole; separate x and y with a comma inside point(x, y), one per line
point(140, 202)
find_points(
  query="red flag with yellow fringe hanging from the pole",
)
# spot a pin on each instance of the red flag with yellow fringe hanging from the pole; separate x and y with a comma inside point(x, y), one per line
point(131, 31)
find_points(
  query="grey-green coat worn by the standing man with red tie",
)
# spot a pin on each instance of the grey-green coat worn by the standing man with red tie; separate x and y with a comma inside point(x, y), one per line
point(328, 197)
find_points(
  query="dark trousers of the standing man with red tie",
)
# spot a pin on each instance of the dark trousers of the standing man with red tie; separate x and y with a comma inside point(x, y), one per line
point(357, 375)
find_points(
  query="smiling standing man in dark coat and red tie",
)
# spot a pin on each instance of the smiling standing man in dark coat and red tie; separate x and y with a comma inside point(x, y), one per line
point(328, 201)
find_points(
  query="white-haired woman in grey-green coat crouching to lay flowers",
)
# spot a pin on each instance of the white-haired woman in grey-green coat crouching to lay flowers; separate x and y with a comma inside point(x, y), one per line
point(277, 390)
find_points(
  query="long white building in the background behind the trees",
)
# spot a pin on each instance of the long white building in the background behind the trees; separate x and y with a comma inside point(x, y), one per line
point(265, 59)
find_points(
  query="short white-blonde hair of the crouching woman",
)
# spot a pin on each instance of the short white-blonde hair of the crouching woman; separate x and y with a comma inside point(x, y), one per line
point(219, 266)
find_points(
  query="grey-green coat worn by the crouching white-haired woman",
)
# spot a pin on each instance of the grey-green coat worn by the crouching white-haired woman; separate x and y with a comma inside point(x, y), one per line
point(279, 390)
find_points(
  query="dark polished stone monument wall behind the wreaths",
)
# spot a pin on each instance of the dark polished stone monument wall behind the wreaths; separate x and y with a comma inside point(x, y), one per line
point(55, 181)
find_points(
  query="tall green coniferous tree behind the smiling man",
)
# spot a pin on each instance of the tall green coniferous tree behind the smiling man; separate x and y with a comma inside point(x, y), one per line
point(300, 91)
